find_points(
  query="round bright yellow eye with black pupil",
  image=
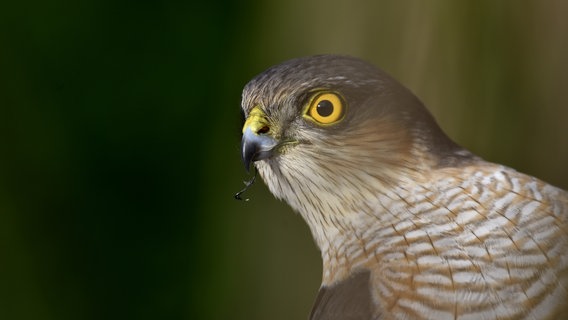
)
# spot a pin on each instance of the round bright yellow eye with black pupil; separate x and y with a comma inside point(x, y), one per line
point(326, 108)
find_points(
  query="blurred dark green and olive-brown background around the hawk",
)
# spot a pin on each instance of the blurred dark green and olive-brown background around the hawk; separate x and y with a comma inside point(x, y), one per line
point(120, 129)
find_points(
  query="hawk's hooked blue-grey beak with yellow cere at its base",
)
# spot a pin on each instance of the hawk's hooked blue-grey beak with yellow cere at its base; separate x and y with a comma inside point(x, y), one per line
point(257, 143)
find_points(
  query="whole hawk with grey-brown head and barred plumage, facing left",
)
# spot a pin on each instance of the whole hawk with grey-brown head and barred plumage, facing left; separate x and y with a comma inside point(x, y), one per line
point(410, 225)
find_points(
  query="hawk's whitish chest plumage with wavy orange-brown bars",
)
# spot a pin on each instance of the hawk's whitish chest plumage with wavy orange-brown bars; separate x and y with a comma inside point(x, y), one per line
point(481, 242)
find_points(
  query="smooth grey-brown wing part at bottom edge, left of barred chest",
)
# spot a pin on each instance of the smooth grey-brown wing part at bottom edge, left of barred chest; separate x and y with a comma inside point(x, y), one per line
point(349, 299)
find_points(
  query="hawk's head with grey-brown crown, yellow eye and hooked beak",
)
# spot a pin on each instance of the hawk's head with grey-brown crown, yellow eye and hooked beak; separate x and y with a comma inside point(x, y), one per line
point(328, 133)
